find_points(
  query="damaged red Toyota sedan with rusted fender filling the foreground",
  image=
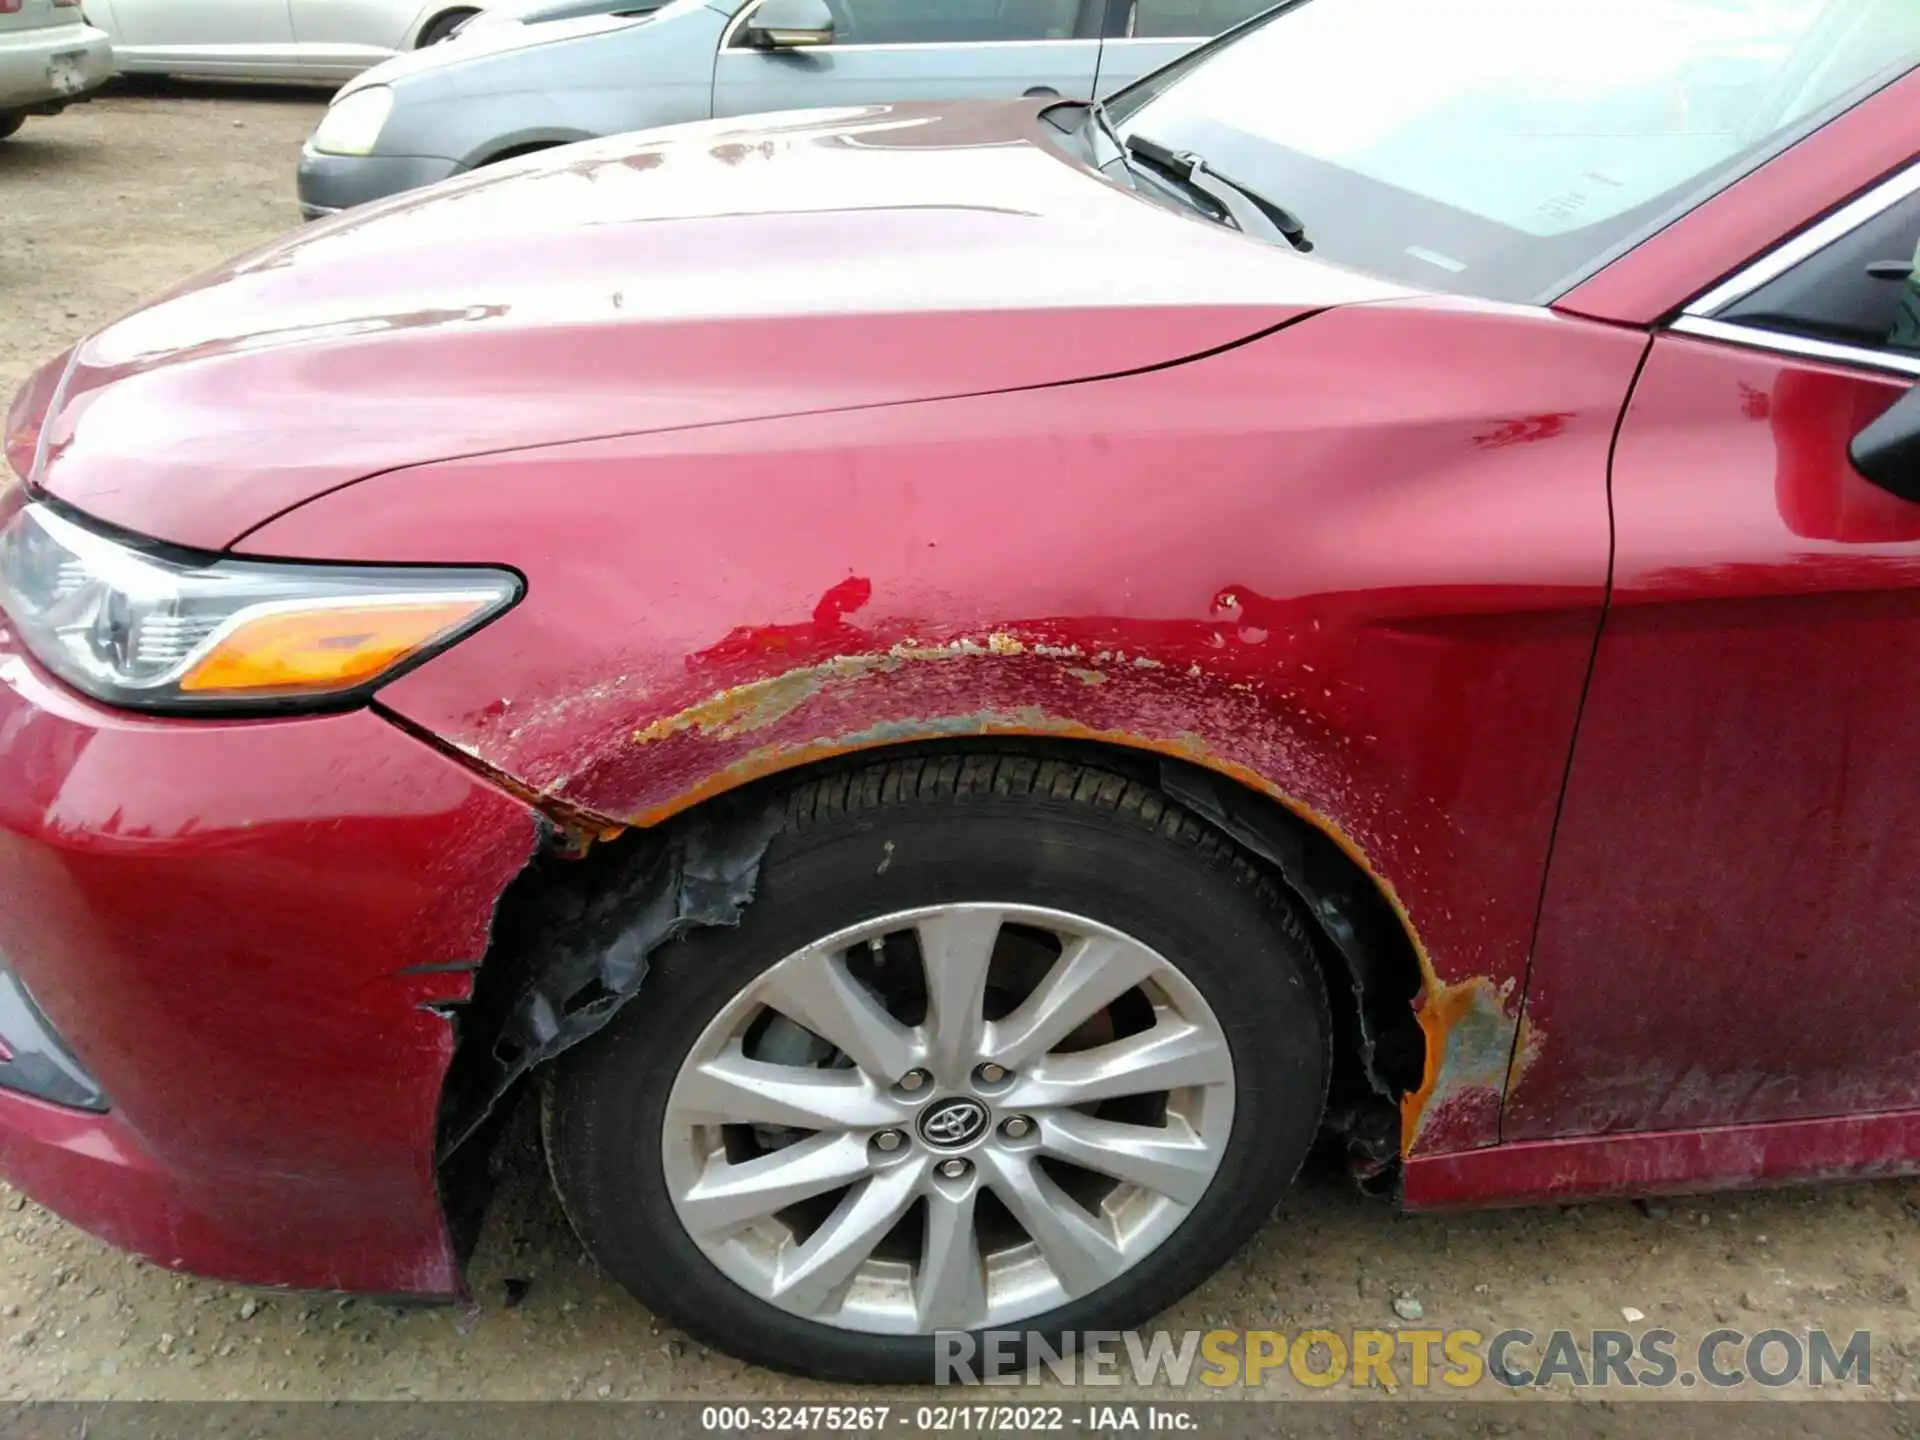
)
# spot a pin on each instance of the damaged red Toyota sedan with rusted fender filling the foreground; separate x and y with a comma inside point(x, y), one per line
point(948, 688)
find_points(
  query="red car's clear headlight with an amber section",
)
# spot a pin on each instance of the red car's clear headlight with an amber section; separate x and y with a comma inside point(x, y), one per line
point(160, 631)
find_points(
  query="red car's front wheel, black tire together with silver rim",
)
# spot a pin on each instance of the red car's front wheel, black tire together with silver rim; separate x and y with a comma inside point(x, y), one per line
point(1040, 844)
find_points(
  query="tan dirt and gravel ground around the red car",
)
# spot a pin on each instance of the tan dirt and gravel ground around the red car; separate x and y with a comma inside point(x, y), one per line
point(112, 203)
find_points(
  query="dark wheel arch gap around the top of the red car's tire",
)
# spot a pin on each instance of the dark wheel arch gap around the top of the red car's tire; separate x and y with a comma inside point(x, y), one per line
point(1364, 944)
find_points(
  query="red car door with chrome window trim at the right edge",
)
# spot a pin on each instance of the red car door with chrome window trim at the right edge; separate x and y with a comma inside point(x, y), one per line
point(1729, 930)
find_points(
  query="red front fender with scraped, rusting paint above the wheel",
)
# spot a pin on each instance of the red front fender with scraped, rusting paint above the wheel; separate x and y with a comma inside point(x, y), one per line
point(1372, 604)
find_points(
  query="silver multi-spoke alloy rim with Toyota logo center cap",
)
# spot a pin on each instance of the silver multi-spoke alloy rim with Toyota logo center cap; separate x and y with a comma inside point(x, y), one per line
point(815, 1136)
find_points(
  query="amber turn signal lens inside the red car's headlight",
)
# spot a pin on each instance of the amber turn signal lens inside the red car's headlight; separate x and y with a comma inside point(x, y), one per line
point(327, 650)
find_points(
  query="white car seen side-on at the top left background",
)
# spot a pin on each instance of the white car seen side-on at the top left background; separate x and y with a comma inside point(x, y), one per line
point(272, 39)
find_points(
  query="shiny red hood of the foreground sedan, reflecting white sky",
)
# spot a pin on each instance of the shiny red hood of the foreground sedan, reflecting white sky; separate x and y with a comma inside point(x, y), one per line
point(698, 276)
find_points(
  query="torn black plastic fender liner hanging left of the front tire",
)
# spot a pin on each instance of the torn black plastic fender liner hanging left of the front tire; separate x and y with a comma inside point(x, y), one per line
point(594, 948)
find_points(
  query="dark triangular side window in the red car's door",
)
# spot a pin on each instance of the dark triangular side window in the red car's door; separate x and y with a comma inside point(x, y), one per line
point(1861, 291)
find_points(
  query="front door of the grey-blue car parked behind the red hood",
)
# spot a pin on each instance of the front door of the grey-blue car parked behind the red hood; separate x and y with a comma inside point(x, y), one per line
point(919, 51)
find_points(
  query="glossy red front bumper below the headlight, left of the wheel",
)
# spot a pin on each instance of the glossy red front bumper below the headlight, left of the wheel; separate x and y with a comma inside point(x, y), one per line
point(247, 936)
